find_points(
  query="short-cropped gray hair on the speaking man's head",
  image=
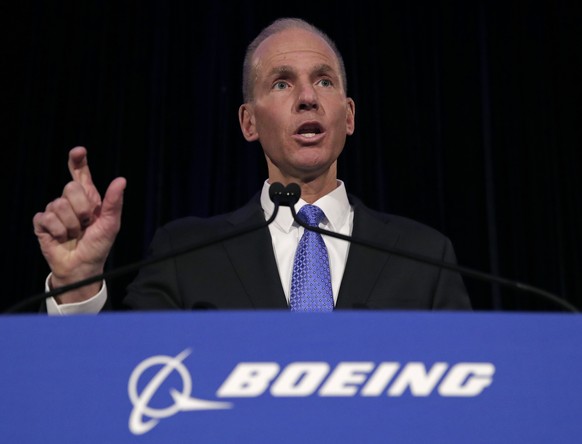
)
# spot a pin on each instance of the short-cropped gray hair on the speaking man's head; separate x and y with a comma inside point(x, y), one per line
point(277, 26)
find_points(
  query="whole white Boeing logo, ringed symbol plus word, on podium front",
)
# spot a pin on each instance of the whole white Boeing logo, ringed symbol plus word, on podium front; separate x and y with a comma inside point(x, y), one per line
point(302, 379)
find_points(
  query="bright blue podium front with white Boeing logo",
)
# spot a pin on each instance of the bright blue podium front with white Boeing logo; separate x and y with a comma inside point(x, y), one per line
point(278, 377)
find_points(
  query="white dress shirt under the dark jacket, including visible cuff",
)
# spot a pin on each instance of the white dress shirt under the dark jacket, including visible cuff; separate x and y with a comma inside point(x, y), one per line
point(285, 234)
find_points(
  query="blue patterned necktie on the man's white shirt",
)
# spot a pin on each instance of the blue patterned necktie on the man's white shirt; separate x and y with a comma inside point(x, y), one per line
point(311, 281)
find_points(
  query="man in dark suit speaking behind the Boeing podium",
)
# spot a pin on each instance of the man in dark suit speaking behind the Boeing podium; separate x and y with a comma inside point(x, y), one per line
point(296, 107)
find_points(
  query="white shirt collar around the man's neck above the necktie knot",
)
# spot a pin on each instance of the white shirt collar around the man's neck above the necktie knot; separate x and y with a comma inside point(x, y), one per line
point(335, 205)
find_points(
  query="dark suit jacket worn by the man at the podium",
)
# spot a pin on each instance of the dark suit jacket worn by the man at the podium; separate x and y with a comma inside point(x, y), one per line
point(241, 273)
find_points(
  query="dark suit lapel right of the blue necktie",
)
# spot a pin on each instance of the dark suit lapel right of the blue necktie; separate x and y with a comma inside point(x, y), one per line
point(364, 264)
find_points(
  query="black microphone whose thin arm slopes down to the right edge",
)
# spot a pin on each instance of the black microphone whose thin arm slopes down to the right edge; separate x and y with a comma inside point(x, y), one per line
point(294, 190)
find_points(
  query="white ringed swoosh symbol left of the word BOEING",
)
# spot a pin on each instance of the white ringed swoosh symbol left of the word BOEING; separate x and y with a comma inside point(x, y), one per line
point(143, 418)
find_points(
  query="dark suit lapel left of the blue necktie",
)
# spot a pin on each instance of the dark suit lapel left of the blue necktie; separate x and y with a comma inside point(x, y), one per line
point(253, 259)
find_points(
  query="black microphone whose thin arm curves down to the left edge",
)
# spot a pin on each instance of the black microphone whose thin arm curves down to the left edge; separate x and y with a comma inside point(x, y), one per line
point(278, 194)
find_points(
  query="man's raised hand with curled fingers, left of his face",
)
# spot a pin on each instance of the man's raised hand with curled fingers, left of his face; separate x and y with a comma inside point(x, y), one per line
point(77, 230)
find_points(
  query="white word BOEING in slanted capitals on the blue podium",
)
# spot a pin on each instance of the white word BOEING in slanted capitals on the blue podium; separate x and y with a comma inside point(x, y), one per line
point(252, 379)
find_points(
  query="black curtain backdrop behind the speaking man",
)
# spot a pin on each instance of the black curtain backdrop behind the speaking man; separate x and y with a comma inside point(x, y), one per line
point(468, 119)
